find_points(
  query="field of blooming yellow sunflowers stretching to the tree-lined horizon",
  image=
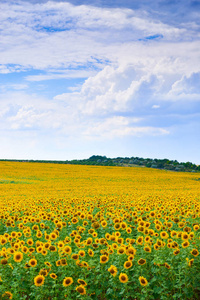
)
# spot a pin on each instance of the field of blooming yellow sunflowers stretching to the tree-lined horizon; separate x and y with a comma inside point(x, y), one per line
point(91, 232)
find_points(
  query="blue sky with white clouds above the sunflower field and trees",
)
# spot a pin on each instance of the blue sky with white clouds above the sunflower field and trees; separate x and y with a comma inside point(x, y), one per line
point(107, 77)
